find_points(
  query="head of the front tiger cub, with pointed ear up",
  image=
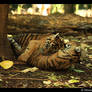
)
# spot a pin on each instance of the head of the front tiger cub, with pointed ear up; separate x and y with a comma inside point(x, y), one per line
point(52, 44)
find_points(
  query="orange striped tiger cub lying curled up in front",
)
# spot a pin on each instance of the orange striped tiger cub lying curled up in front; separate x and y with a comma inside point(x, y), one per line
point(50, 52)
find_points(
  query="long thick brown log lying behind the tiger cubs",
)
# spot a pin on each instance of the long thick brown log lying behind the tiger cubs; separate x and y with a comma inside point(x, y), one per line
point(47, 24)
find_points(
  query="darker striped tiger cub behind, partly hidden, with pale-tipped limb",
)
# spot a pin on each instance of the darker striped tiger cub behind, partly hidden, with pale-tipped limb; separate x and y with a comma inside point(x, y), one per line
point(19, 42)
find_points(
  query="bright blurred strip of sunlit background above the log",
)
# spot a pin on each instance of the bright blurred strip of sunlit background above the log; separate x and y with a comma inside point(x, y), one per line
point(84, 10)
